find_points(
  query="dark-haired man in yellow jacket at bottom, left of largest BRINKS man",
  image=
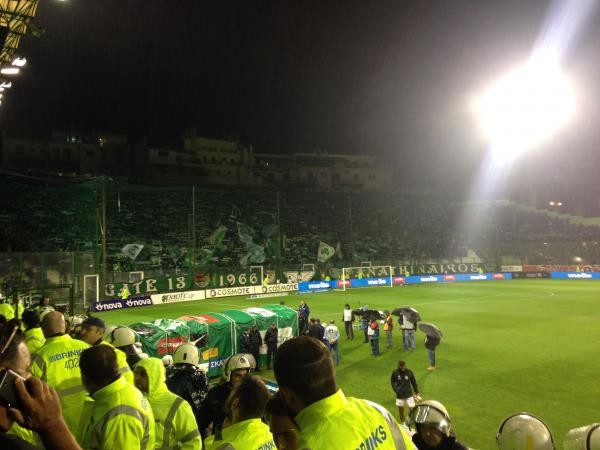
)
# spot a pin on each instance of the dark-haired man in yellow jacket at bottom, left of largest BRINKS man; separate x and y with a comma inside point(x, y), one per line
point(243, 429)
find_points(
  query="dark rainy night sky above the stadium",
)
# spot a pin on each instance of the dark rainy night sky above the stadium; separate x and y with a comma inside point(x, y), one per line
point(394, 79)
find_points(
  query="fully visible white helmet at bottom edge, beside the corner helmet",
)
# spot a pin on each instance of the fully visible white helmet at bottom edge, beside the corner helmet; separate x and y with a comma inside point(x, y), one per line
point(524, 431)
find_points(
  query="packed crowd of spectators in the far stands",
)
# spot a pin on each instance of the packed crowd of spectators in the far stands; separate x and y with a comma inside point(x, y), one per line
point(285, 228)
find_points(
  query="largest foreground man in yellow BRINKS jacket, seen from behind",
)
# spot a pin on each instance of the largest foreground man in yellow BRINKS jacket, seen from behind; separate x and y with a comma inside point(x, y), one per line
point(326, 417)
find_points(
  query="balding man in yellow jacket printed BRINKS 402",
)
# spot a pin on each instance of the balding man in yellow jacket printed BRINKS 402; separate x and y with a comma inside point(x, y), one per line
point(57, 363)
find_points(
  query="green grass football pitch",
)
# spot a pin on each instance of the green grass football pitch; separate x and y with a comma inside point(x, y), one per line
point(508, 346)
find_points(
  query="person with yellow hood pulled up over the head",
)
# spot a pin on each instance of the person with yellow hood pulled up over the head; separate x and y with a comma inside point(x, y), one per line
point(176, 425)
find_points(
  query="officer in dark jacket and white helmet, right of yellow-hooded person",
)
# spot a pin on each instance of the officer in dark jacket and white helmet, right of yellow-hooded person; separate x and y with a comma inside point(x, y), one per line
point(186, 379)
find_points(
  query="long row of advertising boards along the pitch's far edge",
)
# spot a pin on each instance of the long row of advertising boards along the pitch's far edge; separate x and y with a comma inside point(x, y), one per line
point(325, 285)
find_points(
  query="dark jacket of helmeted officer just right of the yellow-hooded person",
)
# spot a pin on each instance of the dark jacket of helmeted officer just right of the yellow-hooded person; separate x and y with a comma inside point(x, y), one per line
point(190, 383)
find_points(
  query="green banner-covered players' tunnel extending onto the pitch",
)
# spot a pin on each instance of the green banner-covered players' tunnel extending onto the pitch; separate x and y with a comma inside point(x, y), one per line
point(217, 335)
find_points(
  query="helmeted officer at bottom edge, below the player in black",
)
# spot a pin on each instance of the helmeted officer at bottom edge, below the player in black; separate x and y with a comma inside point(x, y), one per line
point(434, 429)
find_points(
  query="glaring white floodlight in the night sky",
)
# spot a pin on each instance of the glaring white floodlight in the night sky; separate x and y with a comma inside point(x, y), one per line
point(525, 107)
